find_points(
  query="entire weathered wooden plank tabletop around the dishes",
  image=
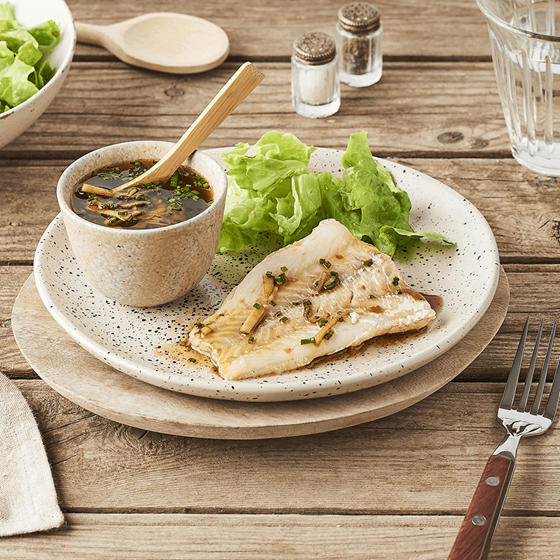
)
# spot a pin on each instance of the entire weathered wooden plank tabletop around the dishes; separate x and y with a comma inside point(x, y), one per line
point(395, 488)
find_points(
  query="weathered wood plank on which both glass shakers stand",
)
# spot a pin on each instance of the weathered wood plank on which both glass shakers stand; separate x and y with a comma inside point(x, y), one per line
point(461, 99)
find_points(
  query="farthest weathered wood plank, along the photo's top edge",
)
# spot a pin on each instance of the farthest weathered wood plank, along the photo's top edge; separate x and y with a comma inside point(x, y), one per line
point(435, 29)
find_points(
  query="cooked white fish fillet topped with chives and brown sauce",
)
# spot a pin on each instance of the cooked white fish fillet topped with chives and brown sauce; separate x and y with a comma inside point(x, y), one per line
point(322, 294)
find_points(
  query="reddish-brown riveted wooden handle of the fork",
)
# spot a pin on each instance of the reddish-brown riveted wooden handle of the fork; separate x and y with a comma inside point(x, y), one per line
point(476, 532)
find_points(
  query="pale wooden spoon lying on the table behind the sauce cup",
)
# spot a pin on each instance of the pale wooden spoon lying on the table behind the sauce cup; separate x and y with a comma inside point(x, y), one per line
point(168, 42)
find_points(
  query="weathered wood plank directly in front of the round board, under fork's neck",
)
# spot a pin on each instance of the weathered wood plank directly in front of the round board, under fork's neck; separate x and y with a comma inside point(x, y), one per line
point(424, 460)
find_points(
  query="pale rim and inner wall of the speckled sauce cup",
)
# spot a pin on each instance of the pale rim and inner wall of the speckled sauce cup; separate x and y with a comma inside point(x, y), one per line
point(117, 153)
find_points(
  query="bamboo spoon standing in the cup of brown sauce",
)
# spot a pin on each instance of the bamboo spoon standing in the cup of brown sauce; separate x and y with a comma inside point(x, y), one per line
point(239, 86)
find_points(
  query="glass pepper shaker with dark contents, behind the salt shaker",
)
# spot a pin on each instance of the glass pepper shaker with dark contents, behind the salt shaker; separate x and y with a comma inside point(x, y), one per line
point(359, 44)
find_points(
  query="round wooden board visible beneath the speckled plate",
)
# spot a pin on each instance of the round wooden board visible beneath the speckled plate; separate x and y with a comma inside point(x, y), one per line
point(97, 387)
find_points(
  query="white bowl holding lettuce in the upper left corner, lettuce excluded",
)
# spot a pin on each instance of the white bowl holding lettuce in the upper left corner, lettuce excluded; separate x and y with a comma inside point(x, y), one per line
point(30, 13)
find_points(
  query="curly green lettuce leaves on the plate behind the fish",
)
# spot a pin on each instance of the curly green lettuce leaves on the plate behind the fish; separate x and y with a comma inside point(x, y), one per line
point(272, 190)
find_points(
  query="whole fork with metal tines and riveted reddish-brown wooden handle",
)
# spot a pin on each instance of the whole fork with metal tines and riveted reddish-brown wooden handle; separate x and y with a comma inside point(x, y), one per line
point(476, 532)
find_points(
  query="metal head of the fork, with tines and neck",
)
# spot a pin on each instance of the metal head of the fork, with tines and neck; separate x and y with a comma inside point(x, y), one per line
point(520, 421)
